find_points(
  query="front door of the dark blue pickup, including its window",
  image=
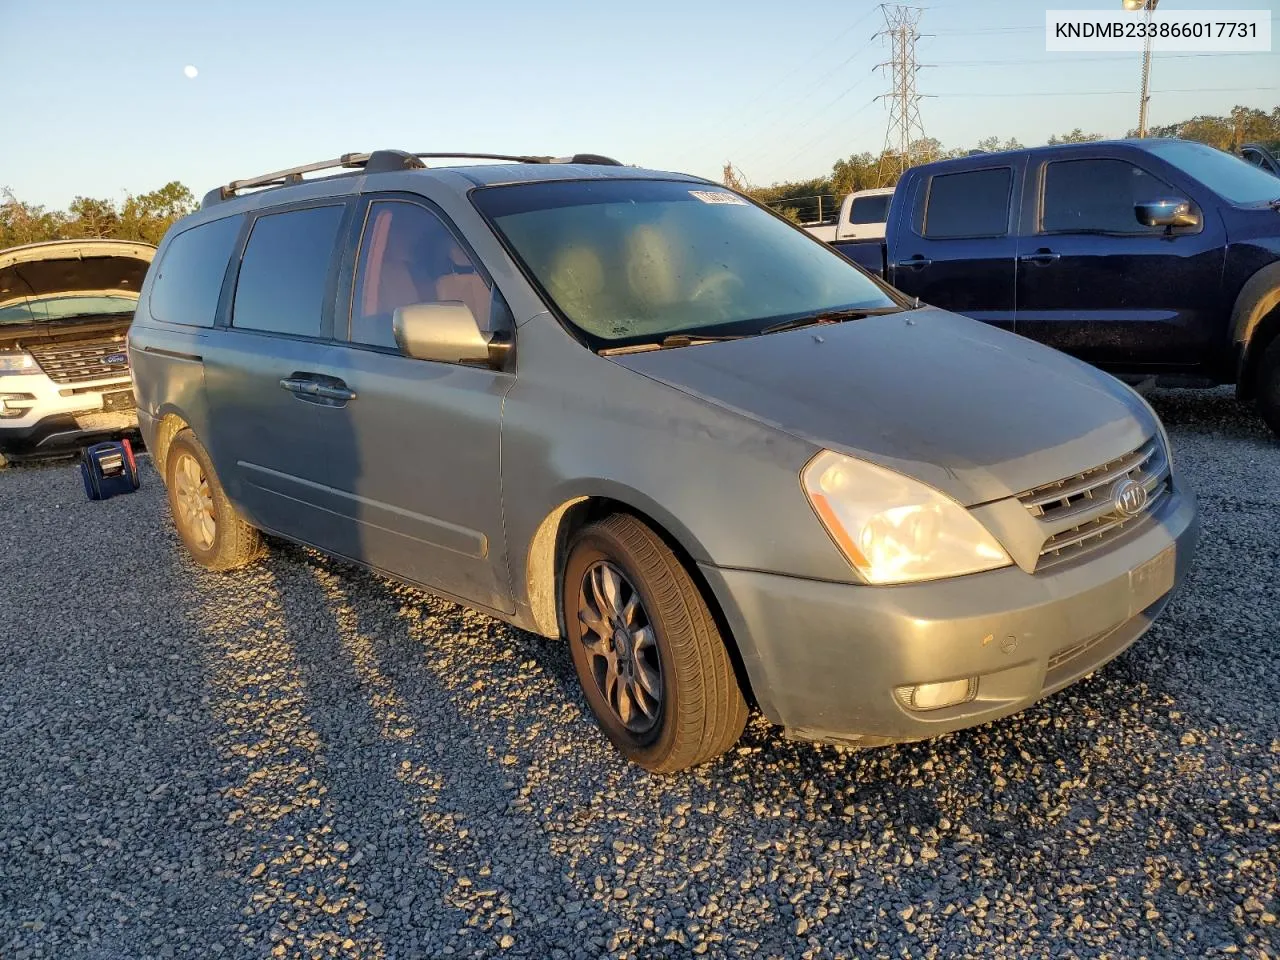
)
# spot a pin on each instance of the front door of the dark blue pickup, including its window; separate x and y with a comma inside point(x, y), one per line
point(1096, 284)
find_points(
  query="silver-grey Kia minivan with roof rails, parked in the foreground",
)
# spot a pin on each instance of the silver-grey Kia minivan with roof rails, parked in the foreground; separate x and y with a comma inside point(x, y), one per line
point(641, 413)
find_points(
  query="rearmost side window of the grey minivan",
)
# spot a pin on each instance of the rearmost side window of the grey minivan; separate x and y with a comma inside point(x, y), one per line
point(190, 276)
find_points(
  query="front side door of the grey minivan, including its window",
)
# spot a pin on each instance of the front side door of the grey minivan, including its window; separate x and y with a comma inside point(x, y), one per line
point(426, 436)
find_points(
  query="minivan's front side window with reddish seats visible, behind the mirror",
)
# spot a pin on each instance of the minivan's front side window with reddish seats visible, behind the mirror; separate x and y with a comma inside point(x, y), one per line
point(408, 255)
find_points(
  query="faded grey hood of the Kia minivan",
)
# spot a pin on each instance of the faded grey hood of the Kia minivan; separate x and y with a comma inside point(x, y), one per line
point(971, 410)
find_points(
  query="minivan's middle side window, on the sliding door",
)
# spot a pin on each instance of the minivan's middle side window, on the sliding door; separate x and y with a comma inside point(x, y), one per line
point(285, 272)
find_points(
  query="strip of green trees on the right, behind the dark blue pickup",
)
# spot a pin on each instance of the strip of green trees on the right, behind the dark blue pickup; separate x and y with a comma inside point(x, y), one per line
point(798, 199)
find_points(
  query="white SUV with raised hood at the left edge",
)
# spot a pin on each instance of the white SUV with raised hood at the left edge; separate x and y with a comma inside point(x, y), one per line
point(66, 309)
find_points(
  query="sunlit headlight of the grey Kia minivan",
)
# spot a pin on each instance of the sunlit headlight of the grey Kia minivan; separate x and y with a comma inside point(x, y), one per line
point(894, 529)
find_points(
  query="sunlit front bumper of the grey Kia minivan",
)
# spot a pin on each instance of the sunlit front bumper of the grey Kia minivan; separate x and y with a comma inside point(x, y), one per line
point(825, 659)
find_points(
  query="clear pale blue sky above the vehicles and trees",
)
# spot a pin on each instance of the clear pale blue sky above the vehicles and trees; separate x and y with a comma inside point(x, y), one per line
point(99, 104)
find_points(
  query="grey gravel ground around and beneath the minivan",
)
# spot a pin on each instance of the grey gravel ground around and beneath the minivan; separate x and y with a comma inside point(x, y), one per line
point(303, 760)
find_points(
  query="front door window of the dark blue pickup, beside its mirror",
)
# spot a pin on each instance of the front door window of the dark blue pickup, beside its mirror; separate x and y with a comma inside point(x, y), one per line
point(1098, 196)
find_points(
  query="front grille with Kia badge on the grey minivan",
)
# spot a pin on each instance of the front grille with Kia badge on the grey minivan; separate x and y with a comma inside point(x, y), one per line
point(1080, 514)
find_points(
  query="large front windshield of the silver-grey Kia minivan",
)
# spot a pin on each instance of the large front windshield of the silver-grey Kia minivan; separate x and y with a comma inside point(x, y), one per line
point(637, 262)
